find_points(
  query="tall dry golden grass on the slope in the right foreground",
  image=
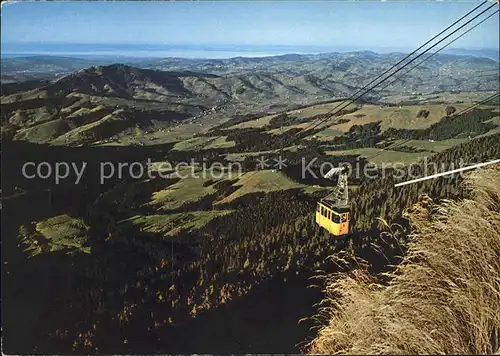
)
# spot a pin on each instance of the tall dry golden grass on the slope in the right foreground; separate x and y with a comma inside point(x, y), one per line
point(443, 299)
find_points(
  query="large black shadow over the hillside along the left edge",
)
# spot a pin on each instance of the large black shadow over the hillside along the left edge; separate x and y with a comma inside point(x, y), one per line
point(31, 285)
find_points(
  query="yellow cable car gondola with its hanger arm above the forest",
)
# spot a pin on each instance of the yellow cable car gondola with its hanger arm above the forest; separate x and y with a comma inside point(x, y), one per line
point(332, 212)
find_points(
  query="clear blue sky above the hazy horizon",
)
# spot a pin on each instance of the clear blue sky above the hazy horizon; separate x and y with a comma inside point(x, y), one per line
point(362, 24)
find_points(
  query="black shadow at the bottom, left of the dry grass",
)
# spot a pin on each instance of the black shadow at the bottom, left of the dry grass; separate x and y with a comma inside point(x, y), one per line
point(263, 321)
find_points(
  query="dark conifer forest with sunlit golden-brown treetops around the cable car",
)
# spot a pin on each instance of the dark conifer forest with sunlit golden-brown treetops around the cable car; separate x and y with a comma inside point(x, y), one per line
point(135, 277)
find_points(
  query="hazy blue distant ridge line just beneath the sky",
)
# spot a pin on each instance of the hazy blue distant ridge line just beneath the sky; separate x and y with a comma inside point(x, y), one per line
point(50, 67)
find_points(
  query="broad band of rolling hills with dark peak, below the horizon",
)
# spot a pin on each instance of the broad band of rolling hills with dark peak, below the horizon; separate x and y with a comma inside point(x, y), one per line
point(207, 92)
